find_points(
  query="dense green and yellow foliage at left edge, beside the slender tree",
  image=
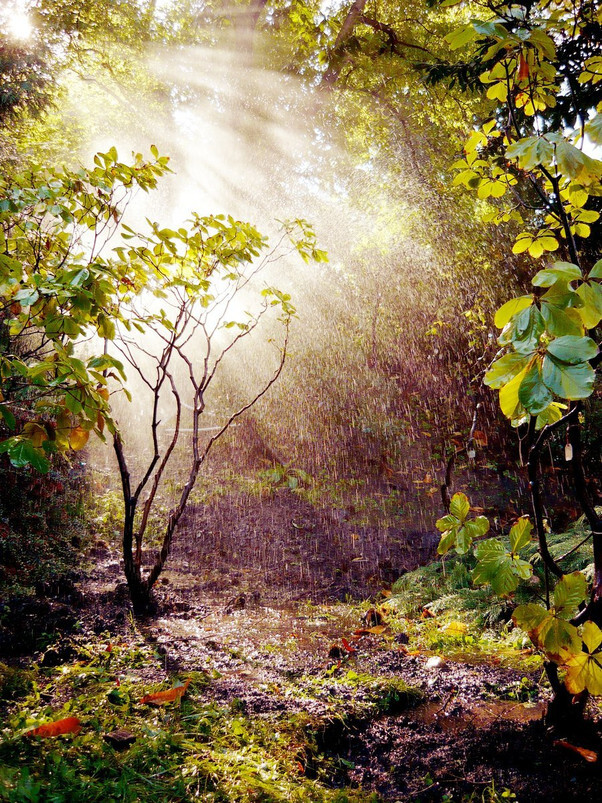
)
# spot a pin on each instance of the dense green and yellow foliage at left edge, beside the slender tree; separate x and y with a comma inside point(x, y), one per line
point(55, 289)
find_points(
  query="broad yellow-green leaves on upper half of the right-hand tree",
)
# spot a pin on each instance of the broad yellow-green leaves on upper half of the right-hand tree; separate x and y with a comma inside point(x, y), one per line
point(549, 353)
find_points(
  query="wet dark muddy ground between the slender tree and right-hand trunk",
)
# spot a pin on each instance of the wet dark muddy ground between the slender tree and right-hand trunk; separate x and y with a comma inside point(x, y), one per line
point(255, 596)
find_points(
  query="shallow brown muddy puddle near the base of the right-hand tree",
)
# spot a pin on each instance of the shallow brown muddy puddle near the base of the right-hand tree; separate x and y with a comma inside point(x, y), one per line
point(455, 716)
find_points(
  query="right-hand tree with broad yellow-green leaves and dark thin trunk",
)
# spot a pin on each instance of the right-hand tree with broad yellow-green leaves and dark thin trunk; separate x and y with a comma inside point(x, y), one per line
point(541, 67)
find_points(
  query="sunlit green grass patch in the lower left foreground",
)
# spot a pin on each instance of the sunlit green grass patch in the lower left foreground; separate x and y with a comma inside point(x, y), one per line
point(194, 750)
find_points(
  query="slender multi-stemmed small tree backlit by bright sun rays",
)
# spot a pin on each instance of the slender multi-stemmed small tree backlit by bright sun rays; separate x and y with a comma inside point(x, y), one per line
point(197, 273)
